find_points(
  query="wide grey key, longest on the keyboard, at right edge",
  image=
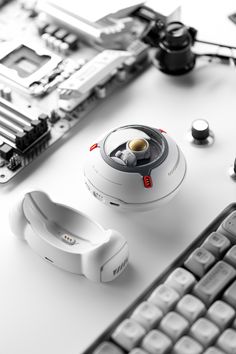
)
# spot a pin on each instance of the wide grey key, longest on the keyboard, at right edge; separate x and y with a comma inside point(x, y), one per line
point(214, 282)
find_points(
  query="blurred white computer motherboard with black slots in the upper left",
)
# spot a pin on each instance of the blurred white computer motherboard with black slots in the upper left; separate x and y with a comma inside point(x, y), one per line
point(56, 66)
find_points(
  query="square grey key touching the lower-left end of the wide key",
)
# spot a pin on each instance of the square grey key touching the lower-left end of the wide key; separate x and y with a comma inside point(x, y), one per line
point(191, 307)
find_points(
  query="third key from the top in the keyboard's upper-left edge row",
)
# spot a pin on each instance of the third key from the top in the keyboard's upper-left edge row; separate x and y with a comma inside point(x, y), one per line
point(199, 261)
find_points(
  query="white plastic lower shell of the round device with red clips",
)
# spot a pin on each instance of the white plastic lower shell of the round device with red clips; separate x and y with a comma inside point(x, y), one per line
point(126, 190)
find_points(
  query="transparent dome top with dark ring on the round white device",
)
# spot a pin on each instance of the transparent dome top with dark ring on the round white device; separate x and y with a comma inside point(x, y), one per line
point(134, 147)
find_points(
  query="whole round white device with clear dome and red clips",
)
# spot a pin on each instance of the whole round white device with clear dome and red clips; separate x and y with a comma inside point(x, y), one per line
point(134, 167)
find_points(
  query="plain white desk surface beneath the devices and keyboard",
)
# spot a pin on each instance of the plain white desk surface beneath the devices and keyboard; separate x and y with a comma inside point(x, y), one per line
point(44, 310)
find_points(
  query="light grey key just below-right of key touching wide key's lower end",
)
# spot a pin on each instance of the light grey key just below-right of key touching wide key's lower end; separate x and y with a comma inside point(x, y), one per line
point(204, 331)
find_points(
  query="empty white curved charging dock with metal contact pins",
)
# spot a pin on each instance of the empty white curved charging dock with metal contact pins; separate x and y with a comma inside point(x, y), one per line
point(68, 238)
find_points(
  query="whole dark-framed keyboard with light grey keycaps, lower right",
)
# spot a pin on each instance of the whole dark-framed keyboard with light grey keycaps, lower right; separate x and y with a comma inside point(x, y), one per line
point(193, 311)
